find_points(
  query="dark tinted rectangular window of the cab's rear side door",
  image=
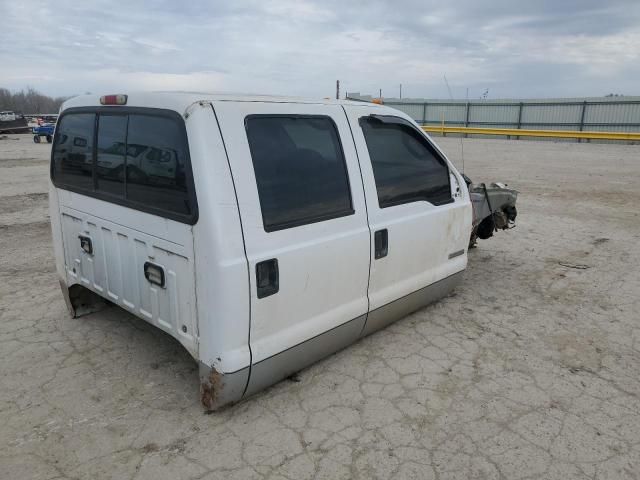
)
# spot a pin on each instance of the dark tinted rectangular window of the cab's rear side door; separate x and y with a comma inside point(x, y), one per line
point(300, 170)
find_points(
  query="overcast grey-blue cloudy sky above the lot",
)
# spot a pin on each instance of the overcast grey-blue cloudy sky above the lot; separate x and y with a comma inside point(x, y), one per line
point(541, 48)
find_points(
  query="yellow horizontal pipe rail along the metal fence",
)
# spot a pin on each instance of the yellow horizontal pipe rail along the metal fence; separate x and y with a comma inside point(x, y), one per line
point(516, 132)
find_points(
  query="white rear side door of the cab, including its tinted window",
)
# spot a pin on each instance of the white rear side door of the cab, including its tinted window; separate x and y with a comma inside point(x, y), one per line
point(305, 229)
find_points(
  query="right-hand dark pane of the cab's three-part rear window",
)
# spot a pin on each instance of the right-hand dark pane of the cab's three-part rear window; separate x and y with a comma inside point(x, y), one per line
point(156, 159)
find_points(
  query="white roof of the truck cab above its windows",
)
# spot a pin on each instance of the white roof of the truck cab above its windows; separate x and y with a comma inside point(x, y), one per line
point(179, 101)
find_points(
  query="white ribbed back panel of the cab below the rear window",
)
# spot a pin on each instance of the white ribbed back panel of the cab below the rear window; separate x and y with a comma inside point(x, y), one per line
point(123, 239)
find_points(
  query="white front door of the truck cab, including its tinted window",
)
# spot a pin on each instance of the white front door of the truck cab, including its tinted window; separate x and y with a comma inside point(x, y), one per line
point(419, 215)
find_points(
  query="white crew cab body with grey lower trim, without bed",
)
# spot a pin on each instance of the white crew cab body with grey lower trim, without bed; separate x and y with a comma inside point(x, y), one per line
point(263, 233)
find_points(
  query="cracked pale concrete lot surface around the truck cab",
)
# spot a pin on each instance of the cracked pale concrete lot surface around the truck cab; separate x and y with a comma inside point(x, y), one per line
point(531, 369)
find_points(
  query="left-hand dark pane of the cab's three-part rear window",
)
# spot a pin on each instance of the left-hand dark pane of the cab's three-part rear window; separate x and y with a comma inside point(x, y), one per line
point(73, 151)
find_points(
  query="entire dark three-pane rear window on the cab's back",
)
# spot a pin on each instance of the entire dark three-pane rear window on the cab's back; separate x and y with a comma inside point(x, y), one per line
point(133, 157)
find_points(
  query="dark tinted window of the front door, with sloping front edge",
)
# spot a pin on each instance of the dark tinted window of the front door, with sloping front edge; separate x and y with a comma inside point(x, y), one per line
point(406, 168)
